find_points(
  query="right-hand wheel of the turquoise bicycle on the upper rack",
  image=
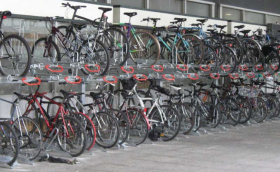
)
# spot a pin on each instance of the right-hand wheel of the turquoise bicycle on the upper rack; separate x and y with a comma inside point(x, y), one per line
point(190, 51)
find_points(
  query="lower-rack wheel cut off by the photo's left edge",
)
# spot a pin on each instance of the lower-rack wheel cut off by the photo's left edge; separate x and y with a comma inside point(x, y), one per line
point(9, 145)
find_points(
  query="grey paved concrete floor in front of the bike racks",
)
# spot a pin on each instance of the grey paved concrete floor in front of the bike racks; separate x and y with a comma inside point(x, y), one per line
point(251, 148)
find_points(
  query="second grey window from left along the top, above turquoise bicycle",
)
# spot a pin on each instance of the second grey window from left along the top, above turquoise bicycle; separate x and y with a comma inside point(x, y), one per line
point(174, 6)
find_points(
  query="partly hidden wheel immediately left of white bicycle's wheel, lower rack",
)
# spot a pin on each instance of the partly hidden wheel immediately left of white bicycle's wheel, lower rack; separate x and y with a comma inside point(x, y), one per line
point(139, 127)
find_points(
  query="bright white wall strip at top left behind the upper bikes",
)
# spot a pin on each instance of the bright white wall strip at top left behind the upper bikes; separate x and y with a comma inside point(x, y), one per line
point(52, 8)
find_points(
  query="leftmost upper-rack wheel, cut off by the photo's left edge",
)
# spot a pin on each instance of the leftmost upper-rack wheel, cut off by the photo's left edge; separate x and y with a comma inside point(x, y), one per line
point(15, 56)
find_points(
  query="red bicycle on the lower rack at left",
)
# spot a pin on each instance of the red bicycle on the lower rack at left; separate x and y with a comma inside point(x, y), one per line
point(69, 132)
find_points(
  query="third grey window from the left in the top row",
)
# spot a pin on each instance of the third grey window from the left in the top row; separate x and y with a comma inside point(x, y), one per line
point(198, 9)
